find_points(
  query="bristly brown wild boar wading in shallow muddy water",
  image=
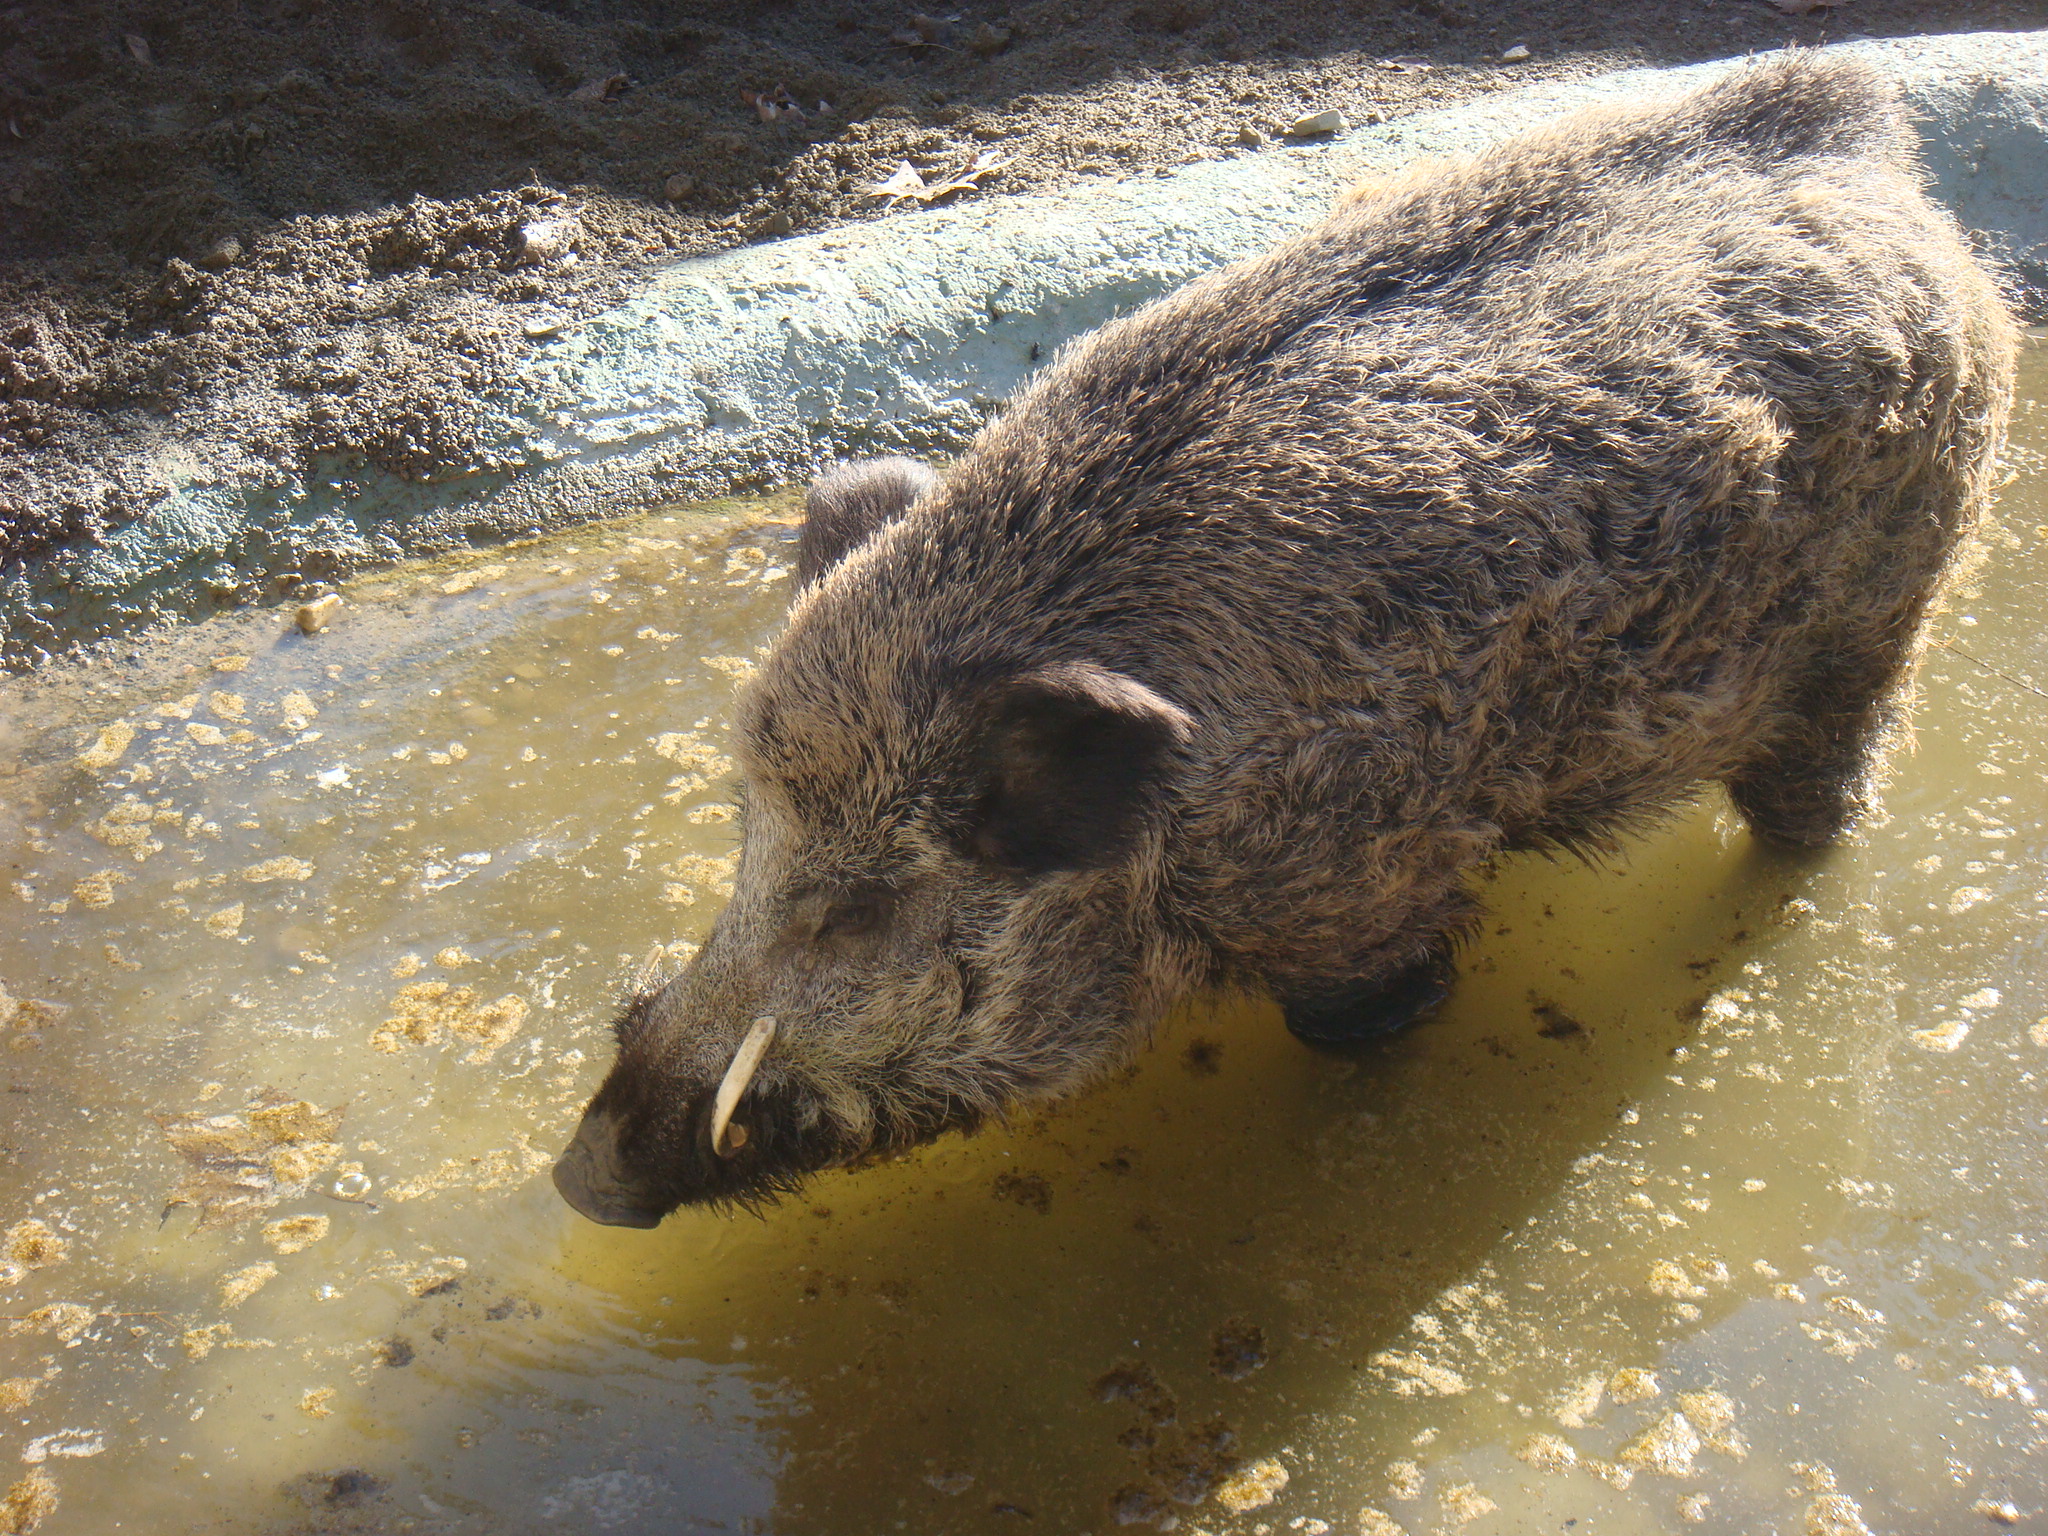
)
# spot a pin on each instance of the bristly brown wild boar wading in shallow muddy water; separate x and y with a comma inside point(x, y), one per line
point(1500, 511)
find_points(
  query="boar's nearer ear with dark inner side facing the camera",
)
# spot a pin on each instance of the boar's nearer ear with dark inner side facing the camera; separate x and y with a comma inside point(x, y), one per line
point(1072, 761)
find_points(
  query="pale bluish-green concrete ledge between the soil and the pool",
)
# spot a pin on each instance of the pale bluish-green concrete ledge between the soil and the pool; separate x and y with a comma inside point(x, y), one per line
point(749, 370)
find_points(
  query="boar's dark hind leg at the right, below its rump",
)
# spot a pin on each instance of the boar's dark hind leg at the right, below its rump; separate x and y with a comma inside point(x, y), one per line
point(1811, 785)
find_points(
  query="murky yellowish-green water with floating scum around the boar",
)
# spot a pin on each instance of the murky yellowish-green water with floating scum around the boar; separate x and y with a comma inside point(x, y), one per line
point(1715, 1201)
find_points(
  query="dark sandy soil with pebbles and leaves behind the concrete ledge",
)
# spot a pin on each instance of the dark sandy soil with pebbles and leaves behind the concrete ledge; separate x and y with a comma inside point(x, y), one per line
point(300, 228)
